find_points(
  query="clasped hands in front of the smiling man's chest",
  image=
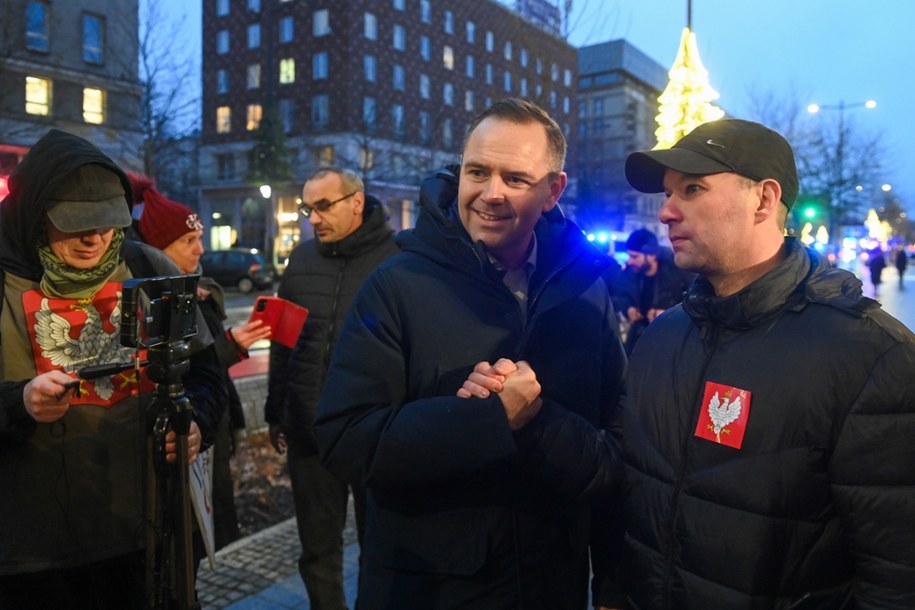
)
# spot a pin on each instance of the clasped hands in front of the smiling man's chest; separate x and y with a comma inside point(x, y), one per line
point(514, 382)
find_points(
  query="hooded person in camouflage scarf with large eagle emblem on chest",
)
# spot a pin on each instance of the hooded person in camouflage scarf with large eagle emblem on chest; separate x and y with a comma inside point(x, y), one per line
point(73, 451)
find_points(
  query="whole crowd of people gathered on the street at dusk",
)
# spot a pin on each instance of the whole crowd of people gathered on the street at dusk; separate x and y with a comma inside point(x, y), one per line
point(725, 422)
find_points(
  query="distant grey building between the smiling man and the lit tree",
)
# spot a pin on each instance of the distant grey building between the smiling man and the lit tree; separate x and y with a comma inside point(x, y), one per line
point(618, 89)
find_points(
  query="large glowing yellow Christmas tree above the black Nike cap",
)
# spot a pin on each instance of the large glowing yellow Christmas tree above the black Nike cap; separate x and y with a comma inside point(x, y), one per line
point(687, 100)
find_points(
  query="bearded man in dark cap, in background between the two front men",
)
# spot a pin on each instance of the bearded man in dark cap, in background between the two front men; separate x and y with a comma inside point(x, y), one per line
point(650, 283)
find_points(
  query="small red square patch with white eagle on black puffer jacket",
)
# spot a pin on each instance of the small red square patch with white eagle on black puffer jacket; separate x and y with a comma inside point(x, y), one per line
point(724, 414)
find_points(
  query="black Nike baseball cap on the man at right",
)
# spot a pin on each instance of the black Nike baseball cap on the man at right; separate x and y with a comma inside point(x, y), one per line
point(725, 145)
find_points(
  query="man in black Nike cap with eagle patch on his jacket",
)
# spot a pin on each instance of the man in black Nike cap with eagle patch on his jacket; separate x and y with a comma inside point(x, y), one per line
point(768, 421)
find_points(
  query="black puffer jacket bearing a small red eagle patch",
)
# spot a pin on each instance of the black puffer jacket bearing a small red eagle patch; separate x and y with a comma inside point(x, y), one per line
point(816, 508)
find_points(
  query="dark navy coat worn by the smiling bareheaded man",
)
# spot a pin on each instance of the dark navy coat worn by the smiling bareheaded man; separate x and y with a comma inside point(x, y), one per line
point(448, 497)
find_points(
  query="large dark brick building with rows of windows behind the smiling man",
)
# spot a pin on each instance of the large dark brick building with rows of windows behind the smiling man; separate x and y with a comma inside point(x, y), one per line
point(384, 87)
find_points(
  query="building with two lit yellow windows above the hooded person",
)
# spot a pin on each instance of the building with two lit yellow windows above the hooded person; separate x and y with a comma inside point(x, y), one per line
point(70, 65)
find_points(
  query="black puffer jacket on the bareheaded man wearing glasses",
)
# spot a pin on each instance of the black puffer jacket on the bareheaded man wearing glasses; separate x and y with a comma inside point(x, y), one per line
point(324, 278)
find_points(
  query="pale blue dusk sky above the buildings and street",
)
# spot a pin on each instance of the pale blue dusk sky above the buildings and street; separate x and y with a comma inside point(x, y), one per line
point(823, 51)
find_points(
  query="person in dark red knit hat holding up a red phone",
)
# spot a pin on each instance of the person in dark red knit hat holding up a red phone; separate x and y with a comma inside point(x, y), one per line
point(177, 230)
